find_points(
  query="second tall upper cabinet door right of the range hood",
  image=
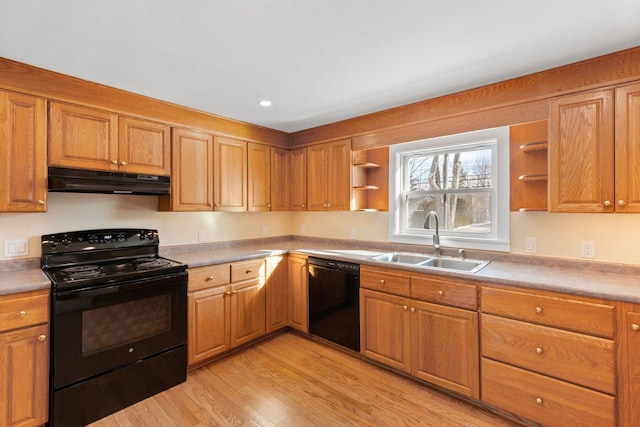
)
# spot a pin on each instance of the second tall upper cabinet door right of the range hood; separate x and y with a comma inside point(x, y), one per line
point(230, 175)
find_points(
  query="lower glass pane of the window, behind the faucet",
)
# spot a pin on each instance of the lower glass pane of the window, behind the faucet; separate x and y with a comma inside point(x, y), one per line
point(461, 212)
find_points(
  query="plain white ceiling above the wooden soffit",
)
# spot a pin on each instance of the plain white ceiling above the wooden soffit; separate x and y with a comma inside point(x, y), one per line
point(318, 61)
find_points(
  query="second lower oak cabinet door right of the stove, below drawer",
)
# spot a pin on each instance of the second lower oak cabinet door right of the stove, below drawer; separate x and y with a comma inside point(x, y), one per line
point(247, 311)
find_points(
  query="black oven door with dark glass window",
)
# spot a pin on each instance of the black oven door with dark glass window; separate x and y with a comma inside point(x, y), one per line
point(97, 330)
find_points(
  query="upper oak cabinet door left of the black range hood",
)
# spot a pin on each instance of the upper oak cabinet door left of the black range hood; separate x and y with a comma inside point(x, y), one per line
point(23, 153)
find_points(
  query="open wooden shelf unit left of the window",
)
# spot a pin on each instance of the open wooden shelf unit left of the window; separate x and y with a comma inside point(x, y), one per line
point(370, 187)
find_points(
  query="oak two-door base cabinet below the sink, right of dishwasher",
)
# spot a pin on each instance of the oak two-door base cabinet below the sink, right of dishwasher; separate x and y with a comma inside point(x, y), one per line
point(433, 342)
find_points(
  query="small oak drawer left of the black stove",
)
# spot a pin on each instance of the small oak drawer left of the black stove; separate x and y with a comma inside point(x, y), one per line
point(24, 309)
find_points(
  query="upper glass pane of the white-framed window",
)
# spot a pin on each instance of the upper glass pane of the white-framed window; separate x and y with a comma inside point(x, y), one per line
point(455, 170)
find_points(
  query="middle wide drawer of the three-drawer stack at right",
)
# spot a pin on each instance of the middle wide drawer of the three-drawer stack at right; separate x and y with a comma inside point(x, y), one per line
point(578, 358)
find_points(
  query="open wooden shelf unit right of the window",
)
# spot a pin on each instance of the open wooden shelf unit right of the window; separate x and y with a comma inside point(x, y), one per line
point(529, 176)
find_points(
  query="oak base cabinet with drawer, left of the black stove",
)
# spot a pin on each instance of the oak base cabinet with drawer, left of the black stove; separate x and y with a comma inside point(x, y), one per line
point(24, 359)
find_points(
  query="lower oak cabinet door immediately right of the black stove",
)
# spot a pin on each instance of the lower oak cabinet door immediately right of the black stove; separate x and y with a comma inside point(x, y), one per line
point(208, 323)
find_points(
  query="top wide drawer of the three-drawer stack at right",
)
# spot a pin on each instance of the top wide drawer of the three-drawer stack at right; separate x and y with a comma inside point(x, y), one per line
point(551, 310)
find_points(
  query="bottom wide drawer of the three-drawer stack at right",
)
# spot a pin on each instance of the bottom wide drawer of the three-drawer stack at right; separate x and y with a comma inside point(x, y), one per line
point(544, 400)
